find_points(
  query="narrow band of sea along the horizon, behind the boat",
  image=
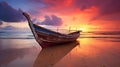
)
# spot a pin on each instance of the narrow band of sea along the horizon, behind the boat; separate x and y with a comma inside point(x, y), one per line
point(92, 34)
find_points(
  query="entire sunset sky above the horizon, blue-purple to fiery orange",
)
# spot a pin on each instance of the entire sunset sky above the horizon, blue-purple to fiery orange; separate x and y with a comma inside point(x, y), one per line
point(84, 14)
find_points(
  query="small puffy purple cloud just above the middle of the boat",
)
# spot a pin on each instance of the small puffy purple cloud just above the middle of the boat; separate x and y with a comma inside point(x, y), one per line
point(53, 20)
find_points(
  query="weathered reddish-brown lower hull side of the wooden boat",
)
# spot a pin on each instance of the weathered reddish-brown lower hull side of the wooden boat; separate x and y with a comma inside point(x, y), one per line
point(47, 40)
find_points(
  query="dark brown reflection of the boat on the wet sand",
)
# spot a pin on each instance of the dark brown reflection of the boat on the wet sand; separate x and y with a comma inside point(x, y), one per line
point(51, 55)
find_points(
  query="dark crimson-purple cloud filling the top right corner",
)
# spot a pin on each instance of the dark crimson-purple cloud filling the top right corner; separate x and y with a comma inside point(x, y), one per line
point(105, 7)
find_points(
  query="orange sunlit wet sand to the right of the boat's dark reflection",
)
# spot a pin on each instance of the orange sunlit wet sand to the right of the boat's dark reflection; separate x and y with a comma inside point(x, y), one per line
point(92, 53)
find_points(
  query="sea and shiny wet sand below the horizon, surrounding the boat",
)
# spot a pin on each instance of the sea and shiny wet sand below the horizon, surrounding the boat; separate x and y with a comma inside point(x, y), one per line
point(92, 49)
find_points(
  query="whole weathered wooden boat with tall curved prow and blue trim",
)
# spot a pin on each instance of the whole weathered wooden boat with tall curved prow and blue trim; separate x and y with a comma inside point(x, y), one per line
point(46, 37)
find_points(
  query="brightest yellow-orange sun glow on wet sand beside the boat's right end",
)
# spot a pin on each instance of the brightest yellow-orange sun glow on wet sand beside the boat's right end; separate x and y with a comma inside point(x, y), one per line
point(85, 48)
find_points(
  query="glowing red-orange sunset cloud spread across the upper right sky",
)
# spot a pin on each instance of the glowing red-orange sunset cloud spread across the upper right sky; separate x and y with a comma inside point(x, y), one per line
point(81, 13)
